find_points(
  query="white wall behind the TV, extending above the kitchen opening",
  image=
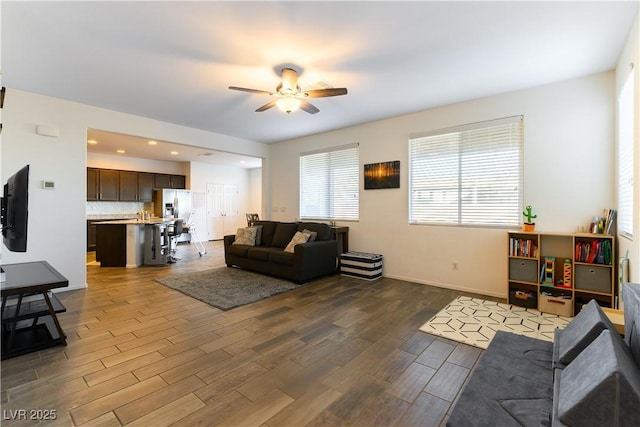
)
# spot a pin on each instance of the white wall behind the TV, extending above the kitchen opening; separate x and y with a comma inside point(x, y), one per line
point(57, 227)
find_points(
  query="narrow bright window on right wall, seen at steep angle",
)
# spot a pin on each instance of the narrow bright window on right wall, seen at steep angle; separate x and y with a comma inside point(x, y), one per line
point(625, 159)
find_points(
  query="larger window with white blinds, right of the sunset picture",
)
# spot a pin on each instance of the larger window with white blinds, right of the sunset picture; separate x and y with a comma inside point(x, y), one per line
point(468, 175)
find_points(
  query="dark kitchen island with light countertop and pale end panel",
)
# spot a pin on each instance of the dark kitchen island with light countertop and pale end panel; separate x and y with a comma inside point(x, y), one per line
point(121, 243)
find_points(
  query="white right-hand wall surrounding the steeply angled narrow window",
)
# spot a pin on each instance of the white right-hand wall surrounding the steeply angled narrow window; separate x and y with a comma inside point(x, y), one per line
point(631, 55)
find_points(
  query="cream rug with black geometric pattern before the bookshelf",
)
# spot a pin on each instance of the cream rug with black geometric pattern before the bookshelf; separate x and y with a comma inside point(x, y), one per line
point(475, 321)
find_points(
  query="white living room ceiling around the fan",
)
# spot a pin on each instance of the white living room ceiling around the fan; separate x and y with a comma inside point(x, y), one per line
point(173, 61)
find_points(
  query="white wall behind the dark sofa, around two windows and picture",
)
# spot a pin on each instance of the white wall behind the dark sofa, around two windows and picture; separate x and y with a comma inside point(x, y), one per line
point(568, 177)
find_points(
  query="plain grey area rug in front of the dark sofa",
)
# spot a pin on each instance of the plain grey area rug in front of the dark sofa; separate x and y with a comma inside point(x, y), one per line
point(226, 288)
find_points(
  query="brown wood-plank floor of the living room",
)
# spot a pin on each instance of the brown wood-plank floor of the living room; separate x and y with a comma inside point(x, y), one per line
point(336, 352)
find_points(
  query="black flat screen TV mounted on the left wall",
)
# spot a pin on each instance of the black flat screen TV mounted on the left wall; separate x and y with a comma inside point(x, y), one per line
point(14, 211)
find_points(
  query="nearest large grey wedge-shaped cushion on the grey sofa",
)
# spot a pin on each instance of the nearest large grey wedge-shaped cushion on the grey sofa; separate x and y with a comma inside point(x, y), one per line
point(601, 386)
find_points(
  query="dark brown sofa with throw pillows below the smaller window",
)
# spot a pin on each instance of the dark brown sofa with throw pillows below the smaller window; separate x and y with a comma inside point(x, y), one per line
point(308, 261)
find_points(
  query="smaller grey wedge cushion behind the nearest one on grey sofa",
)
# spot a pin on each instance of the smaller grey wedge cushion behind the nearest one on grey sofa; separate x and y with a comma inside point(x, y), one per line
point(581, 331)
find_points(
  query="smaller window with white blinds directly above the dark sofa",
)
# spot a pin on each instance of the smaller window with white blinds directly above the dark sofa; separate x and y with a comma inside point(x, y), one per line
point(329, 184)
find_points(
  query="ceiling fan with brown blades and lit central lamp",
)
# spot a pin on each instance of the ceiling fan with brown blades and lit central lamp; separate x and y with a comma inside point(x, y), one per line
point(290, 96)
